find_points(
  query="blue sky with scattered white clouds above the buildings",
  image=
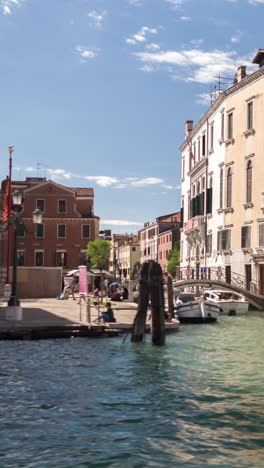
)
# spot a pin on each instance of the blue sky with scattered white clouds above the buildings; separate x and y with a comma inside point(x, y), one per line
point(95, 93)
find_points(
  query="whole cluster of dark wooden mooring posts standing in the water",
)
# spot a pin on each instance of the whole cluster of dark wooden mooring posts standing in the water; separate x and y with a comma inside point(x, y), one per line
point(150, 289)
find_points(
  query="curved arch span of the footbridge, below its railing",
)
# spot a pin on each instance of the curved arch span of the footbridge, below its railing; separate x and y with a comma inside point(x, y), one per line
point(255, 299)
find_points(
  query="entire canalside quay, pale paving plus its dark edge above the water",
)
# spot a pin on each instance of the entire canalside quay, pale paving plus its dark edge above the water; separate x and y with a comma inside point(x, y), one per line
point(50, 318)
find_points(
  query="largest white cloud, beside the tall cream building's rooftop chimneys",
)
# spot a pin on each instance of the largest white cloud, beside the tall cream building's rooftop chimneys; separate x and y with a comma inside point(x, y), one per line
point(195, 64)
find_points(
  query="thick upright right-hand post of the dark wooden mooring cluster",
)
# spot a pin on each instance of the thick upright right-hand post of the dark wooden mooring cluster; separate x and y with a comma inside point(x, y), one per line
point(157, 304)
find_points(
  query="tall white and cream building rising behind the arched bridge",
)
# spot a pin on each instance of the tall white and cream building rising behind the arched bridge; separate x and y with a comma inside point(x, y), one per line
point(222, 183)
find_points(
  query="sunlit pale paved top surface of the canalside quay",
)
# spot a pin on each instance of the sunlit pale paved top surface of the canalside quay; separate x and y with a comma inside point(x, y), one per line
point(54, 312)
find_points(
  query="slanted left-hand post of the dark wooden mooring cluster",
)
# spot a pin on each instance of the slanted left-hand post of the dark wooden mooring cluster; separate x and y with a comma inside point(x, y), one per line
point(141, 315)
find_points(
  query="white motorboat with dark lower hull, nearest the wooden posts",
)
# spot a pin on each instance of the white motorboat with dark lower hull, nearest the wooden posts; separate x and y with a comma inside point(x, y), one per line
point(190, 310)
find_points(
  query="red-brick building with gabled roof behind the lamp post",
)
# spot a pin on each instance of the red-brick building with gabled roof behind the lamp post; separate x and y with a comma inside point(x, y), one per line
point(68, 224)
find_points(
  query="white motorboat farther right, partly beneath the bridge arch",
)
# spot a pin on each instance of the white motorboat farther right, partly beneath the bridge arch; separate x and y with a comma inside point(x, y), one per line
point(231, 302)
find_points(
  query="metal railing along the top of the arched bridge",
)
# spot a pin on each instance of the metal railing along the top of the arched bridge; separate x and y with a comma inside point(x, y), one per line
point(219, 274)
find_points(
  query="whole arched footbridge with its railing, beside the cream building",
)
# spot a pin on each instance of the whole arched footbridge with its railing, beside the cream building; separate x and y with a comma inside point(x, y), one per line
point(217, 277)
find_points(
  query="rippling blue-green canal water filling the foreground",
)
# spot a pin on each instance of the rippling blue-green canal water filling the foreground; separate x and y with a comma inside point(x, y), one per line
point(198, 401)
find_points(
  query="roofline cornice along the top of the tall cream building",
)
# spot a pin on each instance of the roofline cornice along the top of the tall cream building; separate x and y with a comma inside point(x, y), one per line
point(228, 92)
